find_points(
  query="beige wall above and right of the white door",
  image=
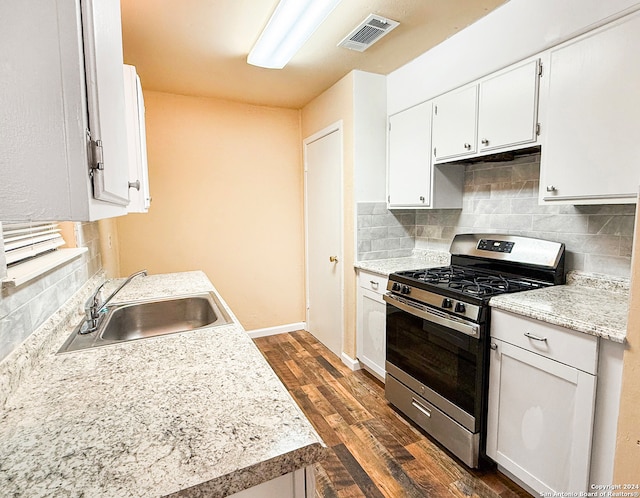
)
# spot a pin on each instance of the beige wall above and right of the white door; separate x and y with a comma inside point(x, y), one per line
point(337, 104)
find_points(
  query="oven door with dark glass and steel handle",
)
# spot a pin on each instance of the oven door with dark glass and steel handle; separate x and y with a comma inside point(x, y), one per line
point(438, 356)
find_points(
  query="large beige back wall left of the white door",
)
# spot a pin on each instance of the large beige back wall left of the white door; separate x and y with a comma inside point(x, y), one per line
point(227, 187)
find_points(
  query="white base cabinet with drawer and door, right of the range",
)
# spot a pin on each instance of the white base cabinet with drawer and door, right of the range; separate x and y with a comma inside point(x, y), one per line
point(541, 402)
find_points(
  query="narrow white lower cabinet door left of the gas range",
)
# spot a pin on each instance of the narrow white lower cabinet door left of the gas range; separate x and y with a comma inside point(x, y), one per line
point(371, 340)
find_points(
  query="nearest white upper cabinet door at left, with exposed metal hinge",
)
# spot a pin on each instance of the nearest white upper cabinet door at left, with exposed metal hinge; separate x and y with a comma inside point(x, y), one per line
point(105, 97)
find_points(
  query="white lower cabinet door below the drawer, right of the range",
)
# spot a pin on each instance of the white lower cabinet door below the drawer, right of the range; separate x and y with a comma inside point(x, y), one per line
point(540, 419)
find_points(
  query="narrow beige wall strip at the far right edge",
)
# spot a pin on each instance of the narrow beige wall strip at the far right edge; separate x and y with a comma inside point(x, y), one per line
point(627, 461)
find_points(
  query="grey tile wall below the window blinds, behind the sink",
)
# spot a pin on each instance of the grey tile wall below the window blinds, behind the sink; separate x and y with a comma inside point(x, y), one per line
point(24, 308)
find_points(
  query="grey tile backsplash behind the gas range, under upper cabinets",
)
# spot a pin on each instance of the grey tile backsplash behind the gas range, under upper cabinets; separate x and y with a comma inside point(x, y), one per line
point(502, 197)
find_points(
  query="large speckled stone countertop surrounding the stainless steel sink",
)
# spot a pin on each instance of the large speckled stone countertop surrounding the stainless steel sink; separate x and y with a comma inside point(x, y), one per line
point(198, 413)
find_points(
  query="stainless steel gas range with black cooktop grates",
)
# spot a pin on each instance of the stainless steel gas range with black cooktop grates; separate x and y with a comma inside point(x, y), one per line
point(438, 327)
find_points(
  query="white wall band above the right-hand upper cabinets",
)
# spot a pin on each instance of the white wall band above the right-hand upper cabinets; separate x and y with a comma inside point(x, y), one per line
point(514, 31)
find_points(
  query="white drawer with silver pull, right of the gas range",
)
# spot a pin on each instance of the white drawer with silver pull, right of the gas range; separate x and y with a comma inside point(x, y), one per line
point(557, 343)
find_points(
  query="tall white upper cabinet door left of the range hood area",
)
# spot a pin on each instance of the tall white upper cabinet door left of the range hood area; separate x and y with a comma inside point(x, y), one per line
point(409, 166)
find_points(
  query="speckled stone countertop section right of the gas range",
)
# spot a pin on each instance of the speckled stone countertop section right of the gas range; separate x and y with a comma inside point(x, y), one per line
point(594, 304)
